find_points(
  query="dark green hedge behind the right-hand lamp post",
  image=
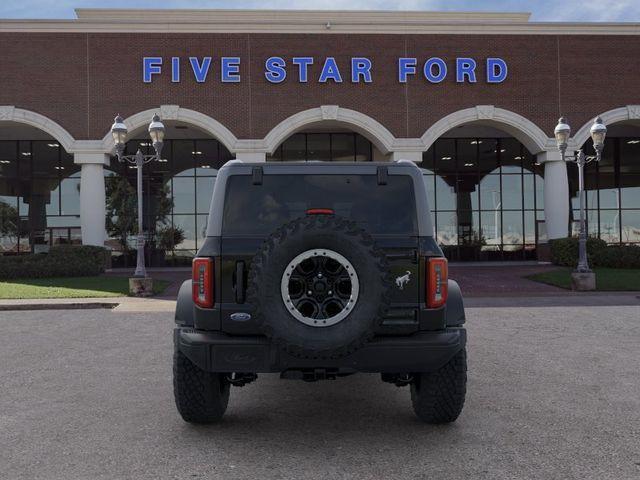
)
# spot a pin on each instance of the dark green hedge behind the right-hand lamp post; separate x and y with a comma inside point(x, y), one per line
point(565, 252)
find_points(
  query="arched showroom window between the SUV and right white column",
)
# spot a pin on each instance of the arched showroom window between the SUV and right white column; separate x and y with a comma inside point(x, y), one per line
point(486, 197)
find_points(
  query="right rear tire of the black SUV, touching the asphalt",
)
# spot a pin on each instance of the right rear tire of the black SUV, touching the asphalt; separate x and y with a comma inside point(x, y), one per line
point(438, 397)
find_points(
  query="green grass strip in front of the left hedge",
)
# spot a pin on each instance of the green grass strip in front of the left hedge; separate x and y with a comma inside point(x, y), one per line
point(71, 287)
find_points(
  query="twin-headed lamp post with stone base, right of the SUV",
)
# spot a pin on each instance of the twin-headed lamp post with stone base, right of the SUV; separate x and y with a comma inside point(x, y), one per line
point(583, 277)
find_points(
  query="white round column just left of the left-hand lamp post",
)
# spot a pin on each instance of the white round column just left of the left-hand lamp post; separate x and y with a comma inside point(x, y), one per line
point(92, 196)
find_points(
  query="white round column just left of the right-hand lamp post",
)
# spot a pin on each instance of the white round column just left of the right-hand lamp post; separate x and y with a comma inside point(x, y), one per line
point(556, 194)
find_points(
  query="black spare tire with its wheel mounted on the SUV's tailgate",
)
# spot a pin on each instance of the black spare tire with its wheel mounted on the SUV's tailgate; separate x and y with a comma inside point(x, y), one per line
point(319, 286)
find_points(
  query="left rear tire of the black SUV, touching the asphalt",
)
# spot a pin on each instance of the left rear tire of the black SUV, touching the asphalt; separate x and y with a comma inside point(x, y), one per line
point(201, 397)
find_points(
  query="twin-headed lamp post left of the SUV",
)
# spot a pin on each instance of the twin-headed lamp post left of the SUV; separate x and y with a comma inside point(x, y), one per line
point(119, 133)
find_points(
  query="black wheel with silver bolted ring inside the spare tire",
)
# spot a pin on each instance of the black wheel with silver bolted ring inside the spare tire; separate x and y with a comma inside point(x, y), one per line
point(320, 287)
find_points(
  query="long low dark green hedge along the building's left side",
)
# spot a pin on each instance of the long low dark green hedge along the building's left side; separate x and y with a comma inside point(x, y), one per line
point(61, 261)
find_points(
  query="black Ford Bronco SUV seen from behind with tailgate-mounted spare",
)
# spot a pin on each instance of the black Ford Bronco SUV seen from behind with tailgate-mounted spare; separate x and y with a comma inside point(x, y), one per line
point(315, 271)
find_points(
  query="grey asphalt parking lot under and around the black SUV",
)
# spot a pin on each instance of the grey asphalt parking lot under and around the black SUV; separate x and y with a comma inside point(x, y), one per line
point(554, 392)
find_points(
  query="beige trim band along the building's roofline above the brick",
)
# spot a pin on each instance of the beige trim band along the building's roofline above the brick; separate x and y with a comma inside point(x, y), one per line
point(297, 21)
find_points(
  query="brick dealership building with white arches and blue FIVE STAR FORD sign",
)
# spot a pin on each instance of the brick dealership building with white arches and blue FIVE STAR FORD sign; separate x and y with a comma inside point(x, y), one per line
point(472, 98)
